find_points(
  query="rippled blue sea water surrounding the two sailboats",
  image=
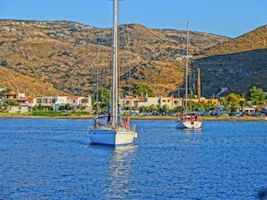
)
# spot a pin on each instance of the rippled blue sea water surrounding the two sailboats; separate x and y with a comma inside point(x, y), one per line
point(52, 159)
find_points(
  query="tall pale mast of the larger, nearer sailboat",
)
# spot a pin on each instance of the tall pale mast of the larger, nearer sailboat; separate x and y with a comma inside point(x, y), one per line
point(115, 64)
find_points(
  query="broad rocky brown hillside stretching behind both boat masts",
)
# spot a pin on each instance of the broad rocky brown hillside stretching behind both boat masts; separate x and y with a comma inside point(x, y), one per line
point(66, 54)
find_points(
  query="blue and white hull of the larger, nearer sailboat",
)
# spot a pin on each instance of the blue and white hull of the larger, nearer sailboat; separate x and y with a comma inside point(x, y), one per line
point(112, 137)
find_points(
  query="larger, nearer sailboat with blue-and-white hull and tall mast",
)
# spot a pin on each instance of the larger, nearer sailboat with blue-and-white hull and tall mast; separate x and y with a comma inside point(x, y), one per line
point(114, 132)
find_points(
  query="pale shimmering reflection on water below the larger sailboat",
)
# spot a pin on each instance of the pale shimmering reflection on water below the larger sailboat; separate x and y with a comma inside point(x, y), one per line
point(119, 171)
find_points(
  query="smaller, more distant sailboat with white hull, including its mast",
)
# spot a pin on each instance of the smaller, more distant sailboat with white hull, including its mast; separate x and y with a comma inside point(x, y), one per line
point(189, 120)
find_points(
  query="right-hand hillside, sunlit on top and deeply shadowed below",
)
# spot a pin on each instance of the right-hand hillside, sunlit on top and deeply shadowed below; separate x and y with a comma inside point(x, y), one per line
point(236, 65)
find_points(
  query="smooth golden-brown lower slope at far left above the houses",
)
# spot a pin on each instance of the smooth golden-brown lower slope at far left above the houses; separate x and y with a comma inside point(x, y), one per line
point(21, 83)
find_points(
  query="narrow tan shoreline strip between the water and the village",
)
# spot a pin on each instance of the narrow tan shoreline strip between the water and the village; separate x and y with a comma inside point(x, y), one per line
point(206, 118)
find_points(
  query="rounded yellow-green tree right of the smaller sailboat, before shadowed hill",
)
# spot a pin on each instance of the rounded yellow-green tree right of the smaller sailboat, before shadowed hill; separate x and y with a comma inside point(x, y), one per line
point(231, 101)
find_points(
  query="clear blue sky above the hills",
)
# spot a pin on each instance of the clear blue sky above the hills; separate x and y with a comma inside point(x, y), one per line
point(224, 17)
